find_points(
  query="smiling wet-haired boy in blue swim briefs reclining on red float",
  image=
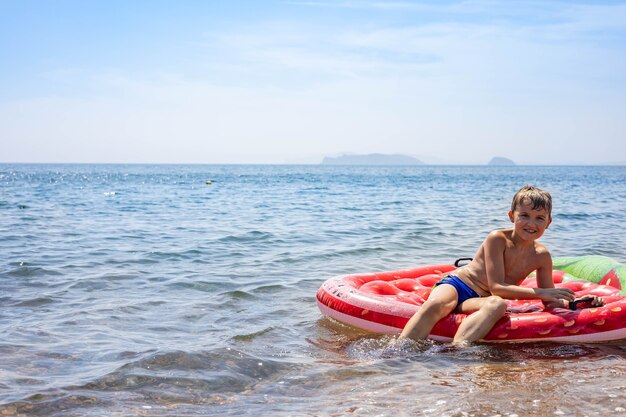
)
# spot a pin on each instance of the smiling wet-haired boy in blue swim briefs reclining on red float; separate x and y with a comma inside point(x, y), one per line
point(503, 260)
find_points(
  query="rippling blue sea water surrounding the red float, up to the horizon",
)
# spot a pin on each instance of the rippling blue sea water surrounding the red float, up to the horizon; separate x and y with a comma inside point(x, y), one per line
point(189, 290)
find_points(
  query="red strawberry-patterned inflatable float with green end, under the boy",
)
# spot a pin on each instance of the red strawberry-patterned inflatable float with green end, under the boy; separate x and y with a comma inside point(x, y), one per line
point(384, 302)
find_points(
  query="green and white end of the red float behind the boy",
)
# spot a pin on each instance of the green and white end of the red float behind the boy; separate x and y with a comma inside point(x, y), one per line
point(593, 268)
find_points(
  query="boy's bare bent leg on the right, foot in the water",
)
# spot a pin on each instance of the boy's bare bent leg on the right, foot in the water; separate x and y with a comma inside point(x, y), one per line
point(483, 313)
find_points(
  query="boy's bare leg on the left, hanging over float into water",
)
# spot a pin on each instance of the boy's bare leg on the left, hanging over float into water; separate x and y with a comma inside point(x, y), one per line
point(441, 302)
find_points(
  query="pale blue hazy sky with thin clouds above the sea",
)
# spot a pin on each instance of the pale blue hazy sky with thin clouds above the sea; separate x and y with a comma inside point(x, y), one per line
point(116, 81)
